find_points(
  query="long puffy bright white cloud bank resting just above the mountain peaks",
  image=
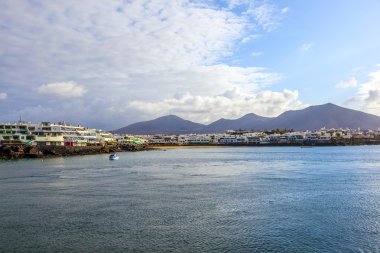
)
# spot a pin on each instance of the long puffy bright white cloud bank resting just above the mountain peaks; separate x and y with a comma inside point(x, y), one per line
point(230, 104)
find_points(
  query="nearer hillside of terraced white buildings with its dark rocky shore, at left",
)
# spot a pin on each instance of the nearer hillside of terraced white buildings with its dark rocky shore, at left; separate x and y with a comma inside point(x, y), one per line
point(28, 140)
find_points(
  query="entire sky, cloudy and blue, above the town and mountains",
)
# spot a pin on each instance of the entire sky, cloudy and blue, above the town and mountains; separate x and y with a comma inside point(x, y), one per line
point(107, 64)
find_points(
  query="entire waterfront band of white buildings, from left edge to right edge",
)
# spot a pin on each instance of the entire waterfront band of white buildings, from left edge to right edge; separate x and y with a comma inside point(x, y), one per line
point(62, 134)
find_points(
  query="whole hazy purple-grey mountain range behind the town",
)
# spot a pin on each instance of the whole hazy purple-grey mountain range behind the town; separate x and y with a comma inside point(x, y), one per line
point(310, 118)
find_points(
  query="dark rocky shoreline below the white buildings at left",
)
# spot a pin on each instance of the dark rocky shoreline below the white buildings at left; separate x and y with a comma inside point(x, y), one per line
point(20, 151)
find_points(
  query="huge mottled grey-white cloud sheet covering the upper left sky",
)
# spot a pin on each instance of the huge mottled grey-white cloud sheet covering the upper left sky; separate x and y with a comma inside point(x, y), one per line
point(122, 51)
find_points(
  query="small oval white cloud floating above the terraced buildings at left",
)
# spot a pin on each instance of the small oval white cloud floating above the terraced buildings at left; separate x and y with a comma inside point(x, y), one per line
point(63, 89)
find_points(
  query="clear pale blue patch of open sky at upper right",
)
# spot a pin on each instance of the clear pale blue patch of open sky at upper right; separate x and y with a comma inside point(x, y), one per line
point(343, 38)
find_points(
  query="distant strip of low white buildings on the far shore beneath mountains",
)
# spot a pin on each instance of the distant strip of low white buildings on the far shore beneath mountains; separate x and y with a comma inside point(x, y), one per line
point(273, 138)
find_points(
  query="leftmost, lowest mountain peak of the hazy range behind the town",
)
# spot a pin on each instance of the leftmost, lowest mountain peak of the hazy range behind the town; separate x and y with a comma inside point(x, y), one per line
point(170, 124)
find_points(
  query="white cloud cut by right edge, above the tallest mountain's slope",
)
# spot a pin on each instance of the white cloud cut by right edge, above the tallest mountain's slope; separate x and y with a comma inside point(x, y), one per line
point(368, 94)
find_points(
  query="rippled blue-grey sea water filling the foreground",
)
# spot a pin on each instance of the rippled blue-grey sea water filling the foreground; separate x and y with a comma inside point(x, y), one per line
point(246, 199)
